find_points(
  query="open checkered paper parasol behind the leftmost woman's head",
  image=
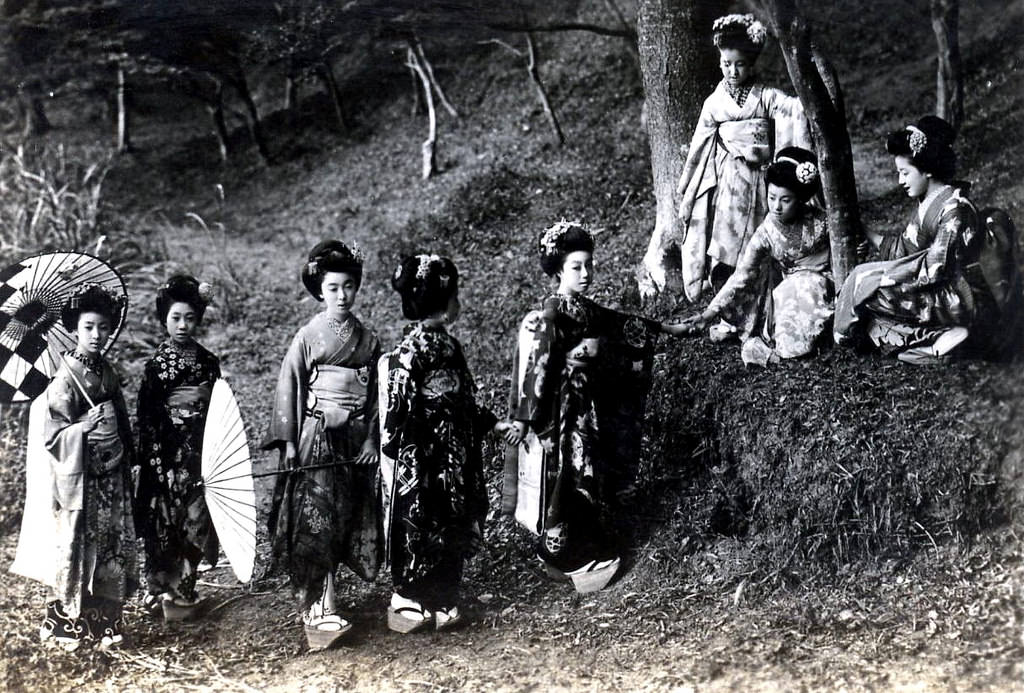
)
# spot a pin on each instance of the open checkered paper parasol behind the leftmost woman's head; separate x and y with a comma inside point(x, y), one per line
point(32, 339)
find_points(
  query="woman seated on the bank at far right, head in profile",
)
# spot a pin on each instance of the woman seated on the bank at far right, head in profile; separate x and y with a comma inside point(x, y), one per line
point(926, 294)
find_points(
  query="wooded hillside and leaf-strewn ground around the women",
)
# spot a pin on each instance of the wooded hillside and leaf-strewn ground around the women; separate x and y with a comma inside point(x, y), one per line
point(843, 522)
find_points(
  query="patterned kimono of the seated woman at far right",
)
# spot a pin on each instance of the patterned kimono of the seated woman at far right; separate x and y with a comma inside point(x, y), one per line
point(928, 281)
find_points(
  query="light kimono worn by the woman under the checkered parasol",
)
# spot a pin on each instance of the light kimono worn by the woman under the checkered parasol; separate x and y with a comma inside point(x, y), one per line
point(91, 494)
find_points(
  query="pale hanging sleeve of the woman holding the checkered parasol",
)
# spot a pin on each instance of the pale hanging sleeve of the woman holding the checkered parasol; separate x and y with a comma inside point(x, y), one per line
point(66, 442)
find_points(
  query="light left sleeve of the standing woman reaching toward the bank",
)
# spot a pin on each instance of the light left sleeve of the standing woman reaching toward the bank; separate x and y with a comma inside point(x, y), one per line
point(533, 378)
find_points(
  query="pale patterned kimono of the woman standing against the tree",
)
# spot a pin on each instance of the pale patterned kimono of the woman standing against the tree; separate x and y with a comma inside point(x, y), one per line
point(722, 189)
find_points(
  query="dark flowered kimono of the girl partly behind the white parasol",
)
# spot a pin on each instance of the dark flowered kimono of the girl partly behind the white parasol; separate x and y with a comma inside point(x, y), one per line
point(172, 512)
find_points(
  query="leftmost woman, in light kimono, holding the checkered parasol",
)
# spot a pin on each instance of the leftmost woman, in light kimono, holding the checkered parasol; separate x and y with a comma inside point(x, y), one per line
point(87, 432)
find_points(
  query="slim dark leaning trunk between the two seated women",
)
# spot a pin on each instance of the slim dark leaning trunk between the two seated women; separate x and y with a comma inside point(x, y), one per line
point(820, 92)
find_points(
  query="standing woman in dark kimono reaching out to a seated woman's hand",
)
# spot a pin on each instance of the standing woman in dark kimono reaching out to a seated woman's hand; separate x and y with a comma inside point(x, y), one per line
point(580, 381)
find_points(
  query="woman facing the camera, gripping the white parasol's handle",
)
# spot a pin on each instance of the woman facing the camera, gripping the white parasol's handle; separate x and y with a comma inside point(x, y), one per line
point(326, 509)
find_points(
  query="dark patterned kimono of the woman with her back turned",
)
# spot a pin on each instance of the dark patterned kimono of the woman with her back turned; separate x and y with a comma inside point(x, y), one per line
point(432, 431)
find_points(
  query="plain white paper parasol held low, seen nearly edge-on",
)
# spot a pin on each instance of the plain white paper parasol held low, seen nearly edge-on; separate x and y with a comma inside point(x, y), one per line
point(228, 481)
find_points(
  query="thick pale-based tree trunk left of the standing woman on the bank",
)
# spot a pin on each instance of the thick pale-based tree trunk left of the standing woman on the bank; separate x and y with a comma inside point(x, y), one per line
point(679, 68)
